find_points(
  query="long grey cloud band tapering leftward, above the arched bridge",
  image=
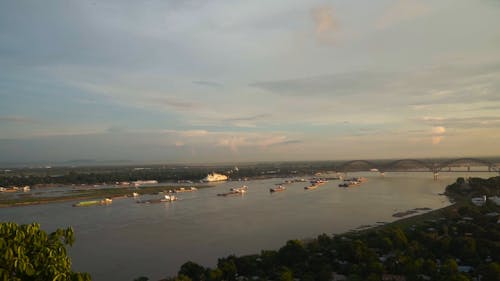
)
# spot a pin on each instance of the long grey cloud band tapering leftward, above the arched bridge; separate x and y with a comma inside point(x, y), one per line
point(422, 88)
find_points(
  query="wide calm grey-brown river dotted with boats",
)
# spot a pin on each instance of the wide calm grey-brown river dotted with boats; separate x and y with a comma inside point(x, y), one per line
point(125, 240)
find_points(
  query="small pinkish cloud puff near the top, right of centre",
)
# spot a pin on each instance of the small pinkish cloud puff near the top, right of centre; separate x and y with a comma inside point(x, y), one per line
point(325, 24)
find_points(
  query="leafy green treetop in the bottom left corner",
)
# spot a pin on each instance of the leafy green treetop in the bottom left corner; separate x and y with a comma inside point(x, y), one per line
point(29, 253)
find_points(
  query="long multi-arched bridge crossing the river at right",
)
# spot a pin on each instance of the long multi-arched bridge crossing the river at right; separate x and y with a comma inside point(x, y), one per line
point(434, 166)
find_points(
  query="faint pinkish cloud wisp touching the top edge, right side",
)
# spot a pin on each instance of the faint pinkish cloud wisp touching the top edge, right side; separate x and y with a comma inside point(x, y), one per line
point(401, 11)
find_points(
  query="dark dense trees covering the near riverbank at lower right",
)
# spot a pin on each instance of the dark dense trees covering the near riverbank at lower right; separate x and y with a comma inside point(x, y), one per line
point(461, 242)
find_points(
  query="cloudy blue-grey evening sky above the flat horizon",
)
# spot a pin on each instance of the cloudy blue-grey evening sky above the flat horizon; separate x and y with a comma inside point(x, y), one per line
point(188, 81)
